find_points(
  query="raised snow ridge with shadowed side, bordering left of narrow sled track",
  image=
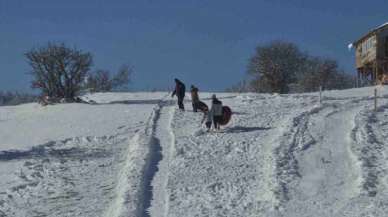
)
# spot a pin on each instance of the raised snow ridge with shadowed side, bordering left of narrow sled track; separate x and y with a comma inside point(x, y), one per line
point(135, 191)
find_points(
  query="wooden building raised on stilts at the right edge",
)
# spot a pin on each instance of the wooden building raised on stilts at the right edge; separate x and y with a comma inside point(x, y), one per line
point(372, 56)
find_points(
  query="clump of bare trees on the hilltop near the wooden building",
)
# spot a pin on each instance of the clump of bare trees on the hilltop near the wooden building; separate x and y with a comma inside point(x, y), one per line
point(281, 67)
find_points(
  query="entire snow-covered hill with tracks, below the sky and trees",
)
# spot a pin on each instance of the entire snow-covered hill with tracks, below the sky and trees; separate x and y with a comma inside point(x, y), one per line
point(135, 154)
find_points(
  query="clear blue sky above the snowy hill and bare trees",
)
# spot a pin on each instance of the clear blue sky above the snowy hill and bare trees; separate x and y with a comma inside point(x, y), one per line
point(207, 43)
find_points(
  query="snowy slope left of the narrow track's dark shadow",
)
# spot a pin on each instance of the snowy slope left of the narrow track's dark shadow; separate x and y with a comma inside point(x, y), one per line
point(69, 159)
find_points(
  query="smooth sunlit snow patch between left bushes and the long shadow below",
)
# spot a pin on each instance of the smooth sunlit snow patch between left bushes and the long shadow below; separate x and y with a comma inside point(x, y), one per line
point(22, 127)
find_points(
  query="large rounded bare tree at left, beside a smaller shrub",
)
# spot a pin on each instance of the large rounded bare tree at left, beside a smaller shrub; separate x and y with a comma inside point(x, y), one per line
point(59, 71)
